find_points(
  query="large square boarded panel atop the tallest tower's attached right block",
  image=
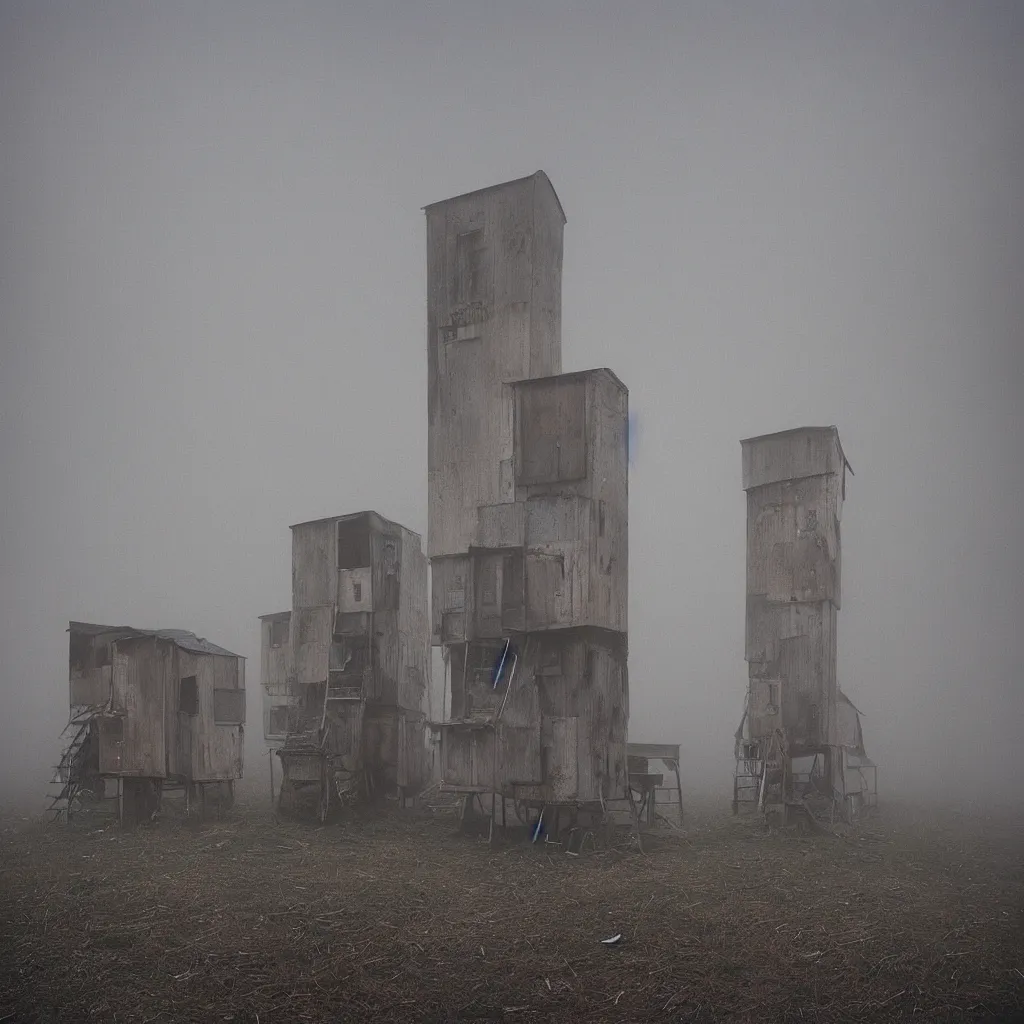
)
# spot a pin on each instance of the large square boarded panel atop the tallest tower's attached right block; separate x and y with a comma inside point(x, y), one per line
point(552, 433)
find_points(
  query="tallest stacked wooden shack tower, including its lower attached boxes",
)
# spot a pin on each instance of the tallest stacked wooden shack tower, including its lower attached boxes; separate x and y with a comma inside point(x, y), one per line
point(528, 513)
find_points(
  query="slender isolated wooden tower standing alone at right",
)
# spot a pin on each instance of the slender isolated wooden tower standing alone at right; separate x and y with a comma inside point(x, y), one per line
point(790, 745)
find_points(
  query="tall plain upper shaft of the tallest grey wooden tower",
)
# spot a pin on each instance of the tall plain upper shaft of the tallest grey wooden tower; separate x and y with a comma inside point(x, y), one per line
point(493, 317)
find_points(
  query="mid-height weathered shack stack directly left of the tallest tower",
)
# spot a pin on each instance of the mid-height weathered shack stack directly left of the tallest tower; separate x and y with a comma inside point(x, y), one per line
point(354, 698)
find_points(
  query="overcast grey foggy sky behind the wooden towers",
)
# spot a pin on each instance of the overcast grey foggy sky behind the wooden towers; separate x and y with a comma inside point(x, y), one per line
point(214, 317)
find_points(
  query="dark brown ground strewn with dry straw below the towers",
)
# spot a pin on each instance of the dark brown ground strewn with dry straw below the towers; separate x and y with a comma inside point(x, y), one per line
point(401, 919)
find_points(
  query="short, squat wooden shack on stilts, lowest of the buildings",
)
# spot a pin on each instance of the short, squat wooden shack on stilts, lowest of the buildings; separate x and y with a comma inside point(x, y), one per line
point(152, 709)
